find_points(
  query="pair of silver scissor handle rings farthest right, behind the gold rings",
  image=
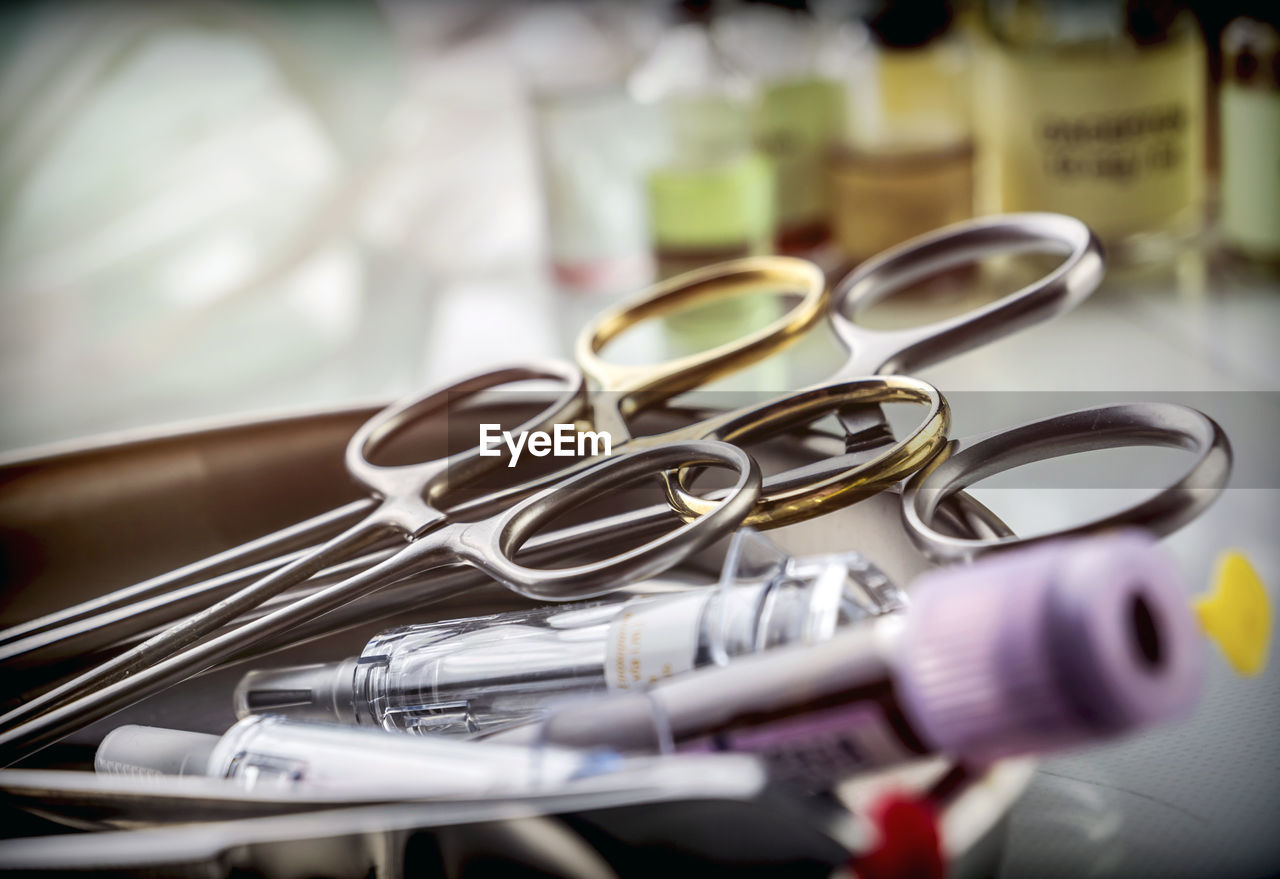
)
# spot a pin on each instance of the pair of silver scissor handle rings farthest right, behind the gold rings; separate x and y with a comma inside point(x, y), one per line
point(964, 463)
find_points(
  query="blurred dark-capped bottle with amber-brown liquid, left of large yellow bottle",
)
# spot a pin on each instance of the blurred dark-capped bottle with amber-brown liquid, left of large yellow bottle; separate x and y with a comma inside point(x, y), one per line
point(906, 166)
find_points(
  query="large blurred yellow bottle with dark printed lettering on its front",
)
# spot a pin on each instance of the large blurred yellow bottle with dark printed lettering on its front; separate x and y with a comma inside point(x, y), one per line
point(1096, 109)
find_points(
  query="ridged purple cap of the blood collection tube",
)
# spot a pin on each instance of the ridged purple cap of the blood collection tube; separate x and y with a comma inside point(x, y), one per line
point(1049, 648)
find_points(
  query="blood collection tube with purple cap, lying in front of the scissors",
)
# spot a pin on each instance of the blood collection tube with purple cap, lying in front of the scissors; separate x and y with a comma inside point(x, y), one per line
point(1032, 651)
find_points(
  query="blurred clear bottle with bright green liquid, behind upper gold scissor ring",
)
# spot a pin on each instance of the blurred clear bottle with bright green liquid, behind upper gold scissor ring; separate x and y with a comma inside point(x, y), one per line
point(711, 194)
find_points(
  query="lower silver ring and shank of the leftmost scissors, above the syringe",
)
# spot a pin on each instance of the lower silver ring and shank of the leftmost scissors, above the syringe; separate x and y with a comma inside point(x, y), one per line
point(490, 544)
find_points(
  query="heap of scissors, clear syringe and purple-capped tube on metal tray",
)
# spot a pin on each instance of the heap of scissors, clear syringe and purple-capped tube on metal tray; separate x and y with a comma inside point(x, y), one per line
point(1121, 653)
